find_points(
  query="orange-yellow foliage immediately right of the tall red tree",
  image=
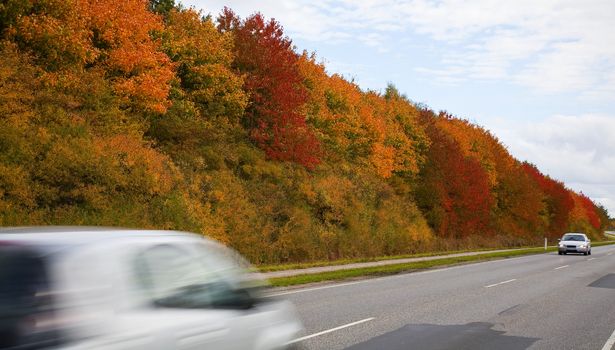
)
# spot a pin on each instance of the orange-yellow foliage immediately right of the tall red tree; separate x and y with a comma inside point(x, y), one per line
point(363, 127)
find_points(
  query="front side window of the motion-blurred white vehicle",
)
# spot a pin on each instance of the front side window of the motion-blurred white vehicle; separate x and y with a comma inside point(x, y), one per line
point(179, 277)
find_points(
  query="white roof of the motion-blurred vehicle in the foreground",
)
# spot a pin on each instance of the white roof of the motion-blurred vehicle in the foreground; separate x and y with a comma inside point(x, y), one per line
point(79, 235)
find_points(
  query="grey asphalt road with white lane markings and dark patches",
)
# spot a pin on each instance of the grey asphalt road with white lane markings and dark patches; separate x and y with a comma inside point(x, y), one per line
point(534, 302)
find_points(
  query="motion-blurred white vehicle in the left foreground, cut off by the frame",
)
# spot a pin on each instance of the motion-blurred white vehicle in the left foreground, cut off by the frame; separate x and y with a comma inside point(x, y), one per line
point(93, 288)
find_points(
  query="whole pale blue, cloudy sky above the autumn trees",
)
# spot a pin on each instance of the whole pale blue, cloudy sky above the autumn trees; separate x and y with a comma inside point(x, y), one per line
point(539, 74)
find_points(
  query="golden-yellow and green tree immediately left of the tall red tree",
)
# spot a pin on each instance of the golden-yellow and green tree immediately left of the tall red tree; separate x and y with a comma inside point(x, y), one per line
point(207, 97)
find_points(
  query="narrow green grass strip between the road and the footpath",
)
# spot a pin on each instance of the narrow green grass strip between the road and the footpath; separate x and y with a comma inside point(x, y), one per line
point(408, 267)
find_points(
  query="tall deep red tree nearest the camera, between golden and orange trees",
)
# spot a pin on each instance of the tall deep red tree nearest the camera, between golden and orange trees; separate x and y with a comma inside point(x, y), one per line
point(272, 78)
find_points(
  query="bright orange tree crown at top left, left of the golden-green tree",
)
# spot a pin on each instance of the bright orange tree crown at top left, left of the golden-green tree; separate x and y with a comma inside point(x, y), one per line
point(122, 32)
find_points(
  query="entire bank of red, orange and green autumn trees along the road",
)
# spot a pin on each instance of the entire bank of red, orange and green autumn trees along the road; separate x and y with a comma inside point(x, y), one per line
point(148, 114)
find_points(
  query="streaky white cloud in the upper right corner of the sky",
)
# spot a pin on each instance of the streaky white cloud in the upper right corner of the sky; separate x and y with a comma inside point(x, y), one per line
point(551, 47)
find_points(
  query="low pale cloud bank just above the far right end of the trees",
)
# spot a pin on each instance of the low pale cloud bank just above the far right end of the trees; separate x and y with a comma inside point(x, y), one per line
point(575, 149)
